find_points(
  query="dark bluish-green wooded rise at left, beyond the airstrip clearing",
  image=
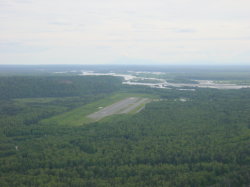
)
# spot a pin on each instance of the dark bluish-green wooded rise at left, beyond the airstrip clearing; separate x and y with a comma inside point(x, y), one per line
point(56, 86)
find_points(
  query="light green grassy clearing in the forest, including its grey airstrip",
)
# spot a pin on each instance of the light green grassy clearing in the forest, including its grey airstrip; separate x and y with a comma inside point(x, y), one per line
point(116, 104)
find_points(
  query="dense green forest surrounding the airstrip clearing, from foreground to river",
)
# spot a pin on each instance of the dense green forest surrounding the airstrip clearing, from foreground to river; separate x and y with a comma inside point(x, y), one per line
point(203, 140)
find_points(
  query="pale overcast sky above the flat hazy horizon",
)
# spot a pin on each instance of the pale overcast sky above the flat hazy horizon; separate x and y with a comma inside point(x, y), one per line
point(174, 32)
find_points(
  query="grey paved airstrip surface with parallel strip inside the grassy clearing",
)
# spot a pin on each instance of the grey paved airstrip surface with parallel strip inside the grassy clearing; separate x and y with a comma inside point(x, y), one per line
point(120, 107)
